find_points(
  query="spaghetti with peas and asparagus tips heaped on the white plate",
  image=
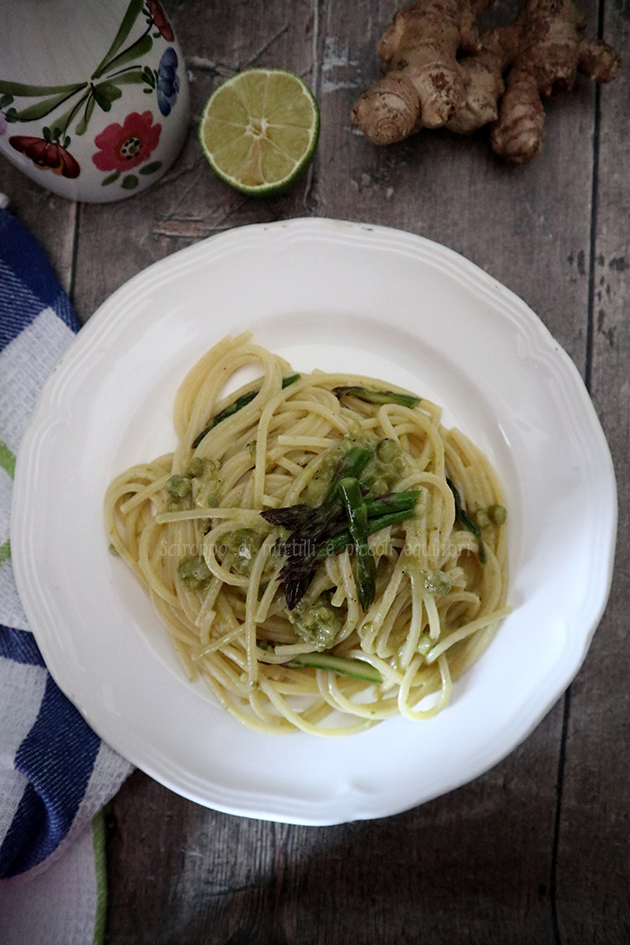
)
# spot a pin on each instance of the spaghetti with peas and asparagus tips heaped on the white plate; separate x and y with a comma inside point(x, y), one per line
point(320, 548)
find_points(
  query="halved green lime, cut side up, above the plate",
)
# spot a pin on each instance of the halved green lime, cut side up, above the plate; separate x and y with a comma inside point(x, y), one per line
point(259, 130)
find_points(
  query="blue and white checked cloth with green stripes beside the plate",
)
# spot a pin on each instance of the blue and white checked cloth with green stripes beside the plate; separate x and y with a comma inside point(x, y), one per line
point(55, 773)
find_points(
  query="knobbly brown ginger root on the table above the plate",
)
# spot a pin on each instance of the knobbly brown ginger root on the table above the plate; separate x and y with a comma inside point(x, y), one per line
point(440, 72)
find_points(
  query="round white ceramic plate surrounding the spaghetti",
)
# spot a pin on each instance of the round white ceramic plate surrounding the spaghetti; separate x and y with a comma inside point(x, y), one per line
point(338, 296)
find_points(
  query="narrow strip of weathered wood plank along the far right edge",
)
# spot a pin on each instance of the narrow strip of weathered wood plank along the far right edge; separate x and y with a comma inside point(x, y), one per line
point(593, 877)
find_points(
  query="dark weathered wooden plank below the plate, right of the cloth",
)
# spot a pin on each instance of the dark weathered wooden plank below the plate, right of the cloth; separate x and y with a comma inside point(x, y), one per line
point(463, 868)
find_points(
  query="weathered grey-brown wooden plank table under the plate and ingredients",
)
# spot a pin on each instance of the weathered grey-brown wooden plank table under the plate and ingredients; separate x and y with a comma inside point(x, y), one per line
point(538, 849)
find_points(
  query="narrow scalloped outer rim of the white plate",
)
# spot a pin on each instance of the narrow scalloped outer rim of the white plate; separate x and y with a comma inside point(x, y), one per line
point(106, 323)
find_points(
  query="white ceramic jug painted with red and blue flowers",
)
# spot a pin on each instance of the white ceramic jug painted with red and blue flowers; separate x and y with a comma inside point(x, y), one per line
point(93, 94)
